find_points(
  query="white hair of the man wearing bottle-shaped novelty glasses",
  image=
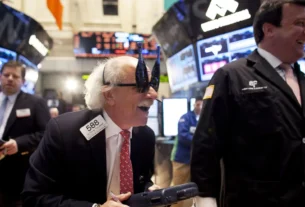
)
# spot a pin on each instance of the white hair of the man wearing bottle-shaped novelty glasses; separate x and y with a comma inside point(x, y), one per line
point(114, 73)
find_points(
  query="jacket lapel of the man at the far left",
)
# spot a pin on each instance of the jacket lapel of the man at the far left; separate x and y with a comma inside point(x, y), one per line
point(12, 117)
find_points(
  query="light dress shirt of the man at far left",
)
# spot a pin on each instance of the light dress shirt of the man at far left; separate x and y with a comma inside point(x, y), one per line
point(10, 104)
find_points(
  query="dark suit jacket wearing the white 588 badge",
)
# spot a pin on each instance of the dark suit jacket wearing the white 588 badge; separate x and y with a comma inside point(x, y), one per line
point(68, 170)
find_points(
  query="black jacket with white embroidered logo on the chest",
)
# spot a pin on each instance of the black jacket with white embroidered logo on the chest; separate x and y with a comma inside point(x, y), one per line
point(255, 123)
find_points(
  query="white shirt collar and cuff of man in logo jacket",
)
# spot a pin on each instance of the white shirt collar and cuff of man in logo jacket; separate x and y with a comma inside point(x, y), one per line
point(275, 63)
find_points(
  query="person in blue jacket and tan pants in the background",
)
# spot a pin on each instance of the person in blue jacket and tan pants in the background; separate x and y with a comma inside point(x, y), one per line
point(181, 153)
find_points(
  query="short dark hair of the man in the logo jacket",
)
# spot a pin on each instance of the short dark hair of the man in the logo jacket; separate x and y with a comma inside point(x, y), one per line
point(270, 12)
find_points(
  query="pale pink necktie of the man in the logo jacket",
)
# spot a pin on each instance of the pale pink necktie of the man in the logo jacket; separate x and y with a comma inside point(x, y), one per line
point(292, 81)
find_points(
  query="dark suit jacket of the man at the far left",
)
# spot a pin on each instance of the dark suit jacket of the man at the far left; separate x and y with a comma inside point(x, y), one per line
point(27, 131)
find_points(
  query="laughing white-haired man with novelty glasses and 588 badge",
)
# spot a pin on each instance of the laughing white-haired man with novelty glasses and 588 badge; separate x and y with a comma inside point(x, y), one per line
point(101, 155)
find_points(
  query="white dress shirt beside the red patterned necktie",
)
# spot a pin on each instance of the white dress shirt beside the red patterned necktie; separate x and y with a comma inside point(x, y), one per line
point(114, 142)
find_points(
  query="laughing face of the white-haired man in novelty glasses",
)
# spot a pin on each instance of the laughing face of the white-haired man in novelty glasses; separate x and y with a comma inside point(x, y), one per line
point(125, 105)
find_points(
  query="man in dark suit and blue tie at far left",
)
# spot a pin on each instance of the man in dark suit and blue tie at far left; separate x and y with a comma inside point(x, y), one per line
point(23, 118)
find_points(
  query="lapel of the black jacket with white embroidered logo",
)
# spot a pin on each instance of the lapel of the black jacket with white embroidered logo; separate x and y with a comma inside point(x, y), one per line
point(267, 71)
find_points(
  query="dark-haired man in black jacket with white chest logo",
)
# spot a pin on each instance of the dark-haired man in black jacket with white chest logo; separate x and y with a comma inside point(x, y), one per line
point(254, 117)
